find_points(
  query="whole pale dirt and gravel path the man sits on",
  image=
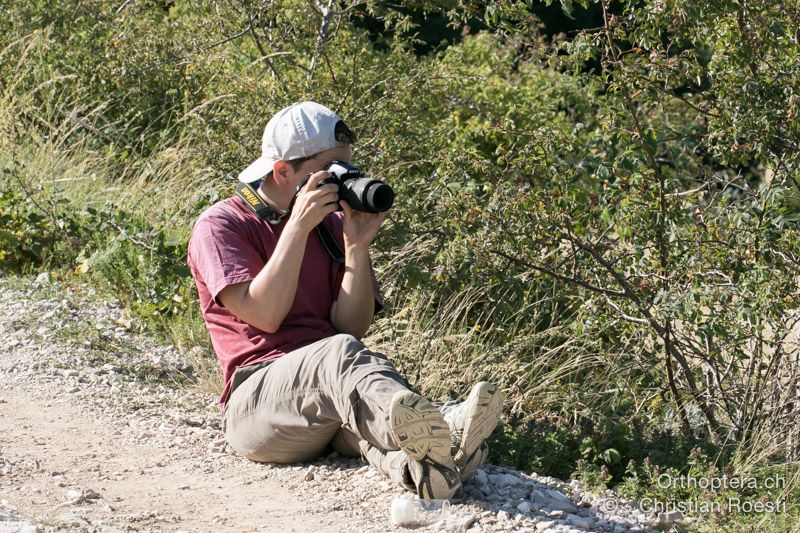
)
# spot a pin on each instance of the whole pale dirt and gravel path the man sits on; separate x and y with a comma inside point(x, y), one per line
point(98, 434)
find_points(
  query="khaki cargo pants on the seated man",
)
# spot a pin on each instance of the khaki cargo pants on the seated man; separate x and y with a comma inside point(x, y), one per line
point(333, 392)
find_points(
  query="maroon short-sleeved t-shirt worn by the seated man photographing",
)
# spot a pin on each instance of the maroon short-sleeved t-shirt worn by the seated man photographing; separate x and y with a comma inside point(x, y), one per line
point(229, 245)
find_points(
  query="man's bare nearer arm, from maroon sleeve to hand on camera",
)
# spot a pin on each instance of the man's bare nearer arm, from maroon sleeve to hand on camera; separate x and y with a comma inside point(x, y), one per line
point(265, 301)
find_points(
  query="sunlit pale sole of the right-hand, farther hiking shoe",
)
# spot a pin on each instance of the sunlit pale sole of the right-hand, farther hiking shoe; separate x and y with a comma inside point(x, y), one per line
point(483, 410)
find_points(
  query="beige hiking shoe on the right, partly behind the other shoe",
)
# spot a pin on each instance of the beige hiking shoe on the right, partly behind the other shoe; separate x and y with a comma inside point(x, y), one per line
point(471, 422)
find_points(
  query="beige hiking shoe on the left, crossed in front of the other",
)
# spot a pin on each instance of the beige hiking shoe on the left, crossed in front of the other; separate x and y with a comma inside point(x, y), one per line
point(421, 432)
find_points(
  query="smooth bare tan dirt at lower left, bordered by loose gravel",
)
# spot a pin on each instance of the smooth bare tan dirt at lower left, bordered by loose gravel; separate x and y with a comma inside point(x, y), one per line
point(61, 449)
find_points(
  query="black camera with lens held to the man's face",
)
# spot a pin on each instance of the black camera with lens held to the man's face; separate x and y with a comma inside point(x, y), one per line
point(360, 192)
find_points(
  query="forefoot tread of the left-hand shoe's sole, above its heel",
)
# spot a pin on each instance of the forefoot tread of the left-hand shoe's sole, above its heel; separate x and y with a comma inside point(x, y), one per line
point(419, 429)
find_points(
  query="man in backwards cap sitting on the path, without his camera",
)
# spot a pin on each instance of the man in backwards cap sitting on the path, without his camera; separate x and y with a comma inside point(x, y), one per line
point(285, 319)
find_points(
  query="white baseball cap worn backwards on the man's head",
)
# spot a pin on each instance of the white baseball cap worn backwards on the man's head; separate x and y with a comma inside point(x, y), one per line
point(301, 130)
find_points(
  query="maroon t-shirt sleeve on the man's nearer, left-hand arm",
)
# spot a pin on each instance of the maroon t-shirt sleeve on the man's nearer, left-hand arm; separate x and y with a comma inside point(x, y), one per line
point(222, 254)
